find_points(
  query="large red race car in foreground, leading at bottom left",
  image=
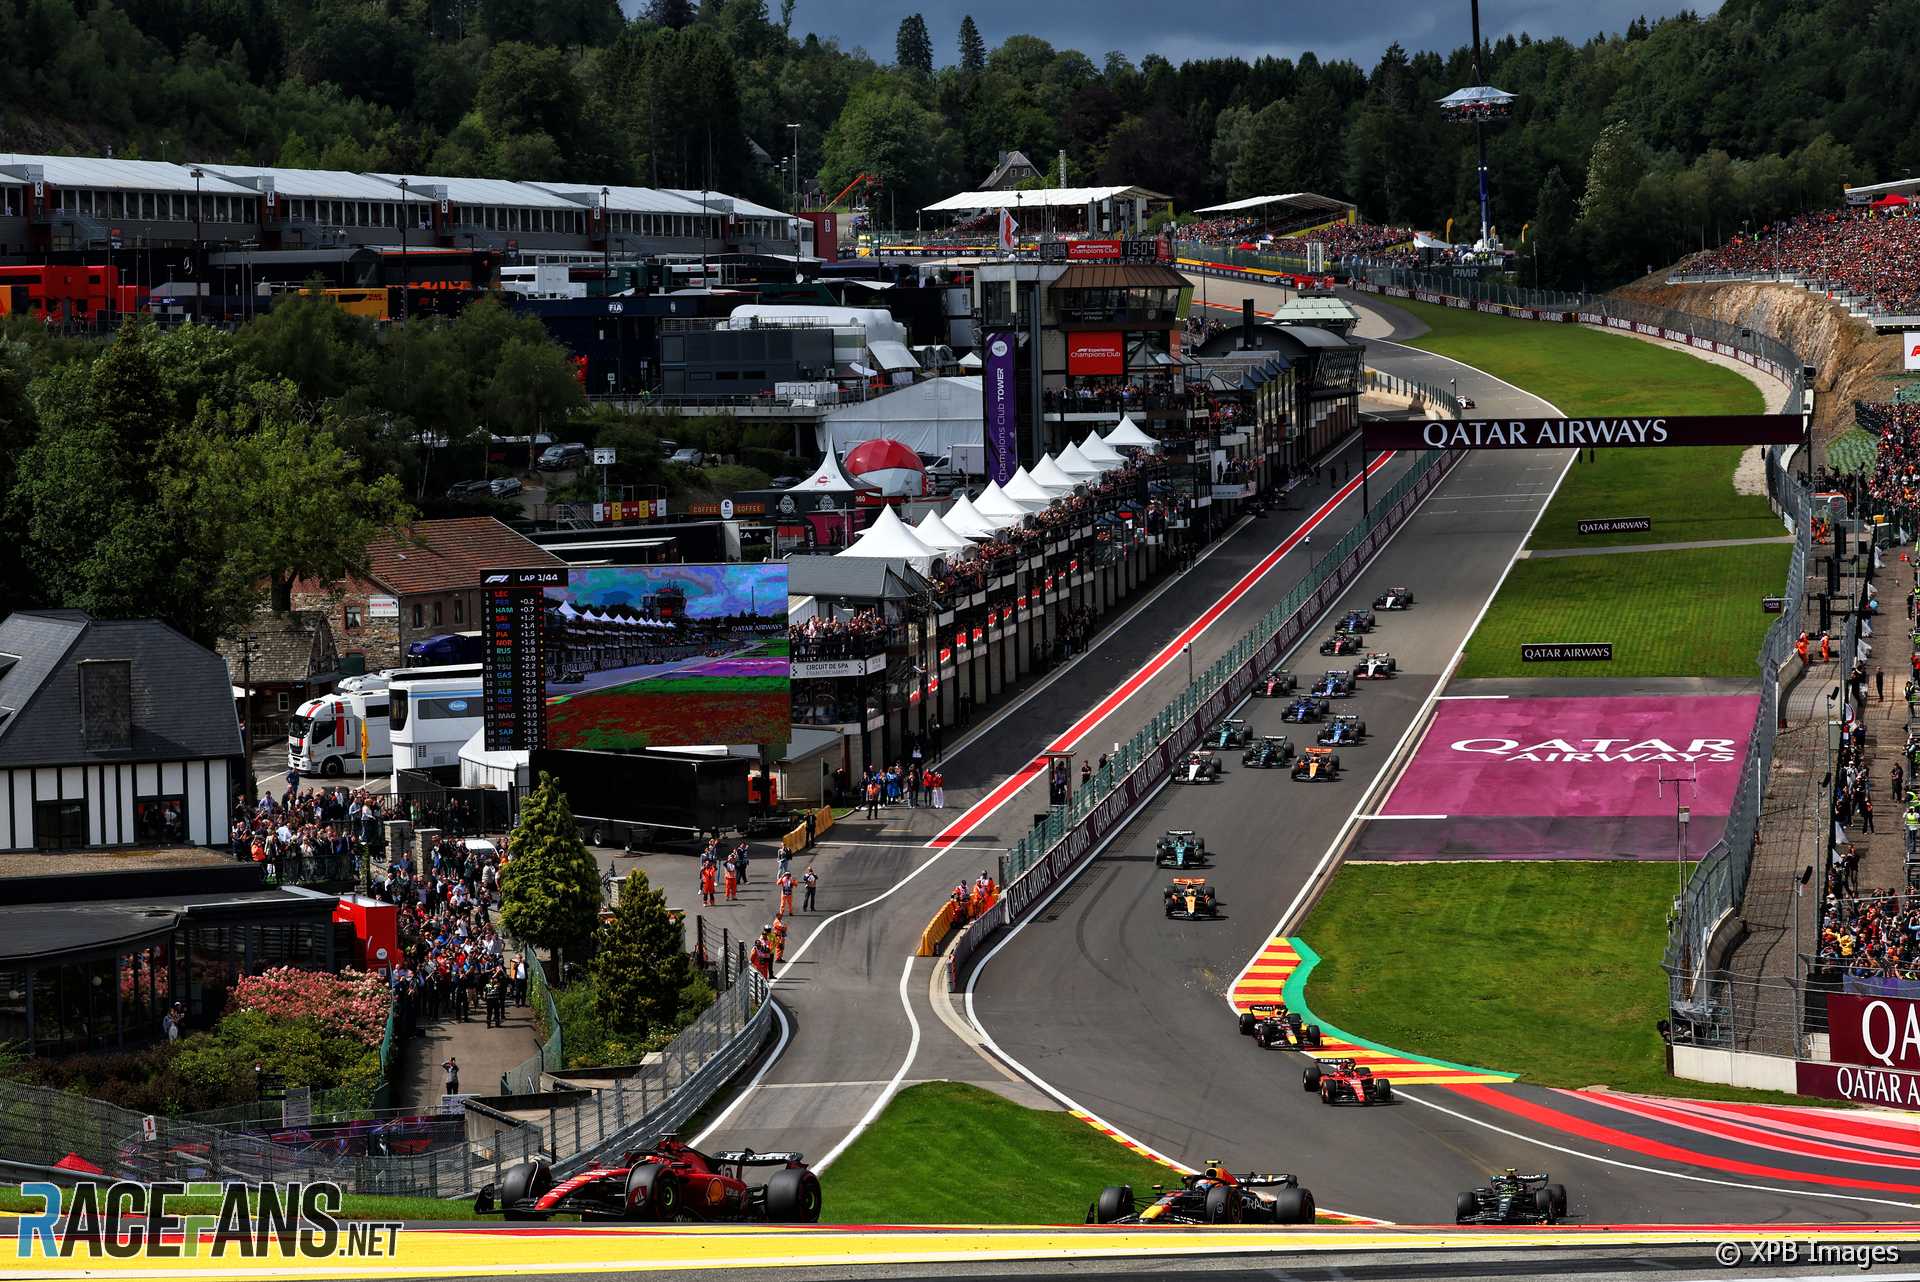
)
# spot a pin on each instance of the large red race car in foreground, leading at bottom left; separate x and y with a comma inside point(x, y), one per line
point(663, 1183)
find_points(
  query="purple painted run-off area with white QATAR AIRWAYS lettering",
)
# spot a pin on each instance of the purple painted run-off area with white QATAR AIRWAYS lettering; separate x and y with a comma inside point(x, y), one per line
point(1566, 778)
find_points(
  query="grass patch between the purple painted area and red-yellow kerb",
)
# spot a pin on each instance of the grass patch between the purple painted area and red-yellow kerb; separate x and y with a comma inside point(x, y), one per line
point(1548, 970)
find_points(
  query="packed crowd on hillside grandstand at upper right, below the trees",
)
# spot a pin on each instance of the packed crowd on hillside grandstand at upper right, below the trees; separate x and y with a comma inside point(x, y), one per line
point(1867, 252)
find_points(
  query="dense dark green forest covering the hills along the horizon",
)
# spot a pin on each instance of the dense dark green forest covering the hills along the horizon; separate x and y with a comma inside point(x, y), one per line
point(1625, 151)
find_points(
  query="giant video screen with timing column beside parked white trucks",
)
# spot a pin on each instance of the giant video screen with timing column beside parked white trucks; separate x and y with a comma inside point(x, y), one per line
point(636, 657)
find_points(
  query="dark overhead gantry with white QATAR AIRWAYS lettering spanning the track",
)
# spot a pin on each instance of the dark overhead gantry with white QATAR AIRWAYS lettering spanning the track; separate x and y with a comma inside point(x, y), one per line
point(1579, 433)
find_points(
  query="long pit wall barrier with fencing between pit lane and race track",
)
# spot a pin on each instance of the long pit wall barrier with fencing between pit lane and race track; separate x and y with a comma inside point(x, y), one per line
point(1111, 801)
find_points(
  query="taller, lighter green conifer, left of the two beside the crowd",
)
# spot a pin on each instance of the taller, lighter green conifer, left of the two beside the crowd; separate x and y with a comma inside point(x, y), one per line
point(550, 893)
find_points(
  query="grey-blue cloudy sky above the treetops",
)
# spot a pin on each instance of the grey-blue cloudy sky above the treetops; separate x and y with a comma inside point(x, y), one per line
point(1355, 30)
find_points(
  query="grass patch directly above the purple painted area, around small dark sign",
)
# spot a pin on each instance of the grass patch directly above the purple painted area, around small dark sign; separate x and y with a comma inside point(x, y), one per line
point(1669, 615)
